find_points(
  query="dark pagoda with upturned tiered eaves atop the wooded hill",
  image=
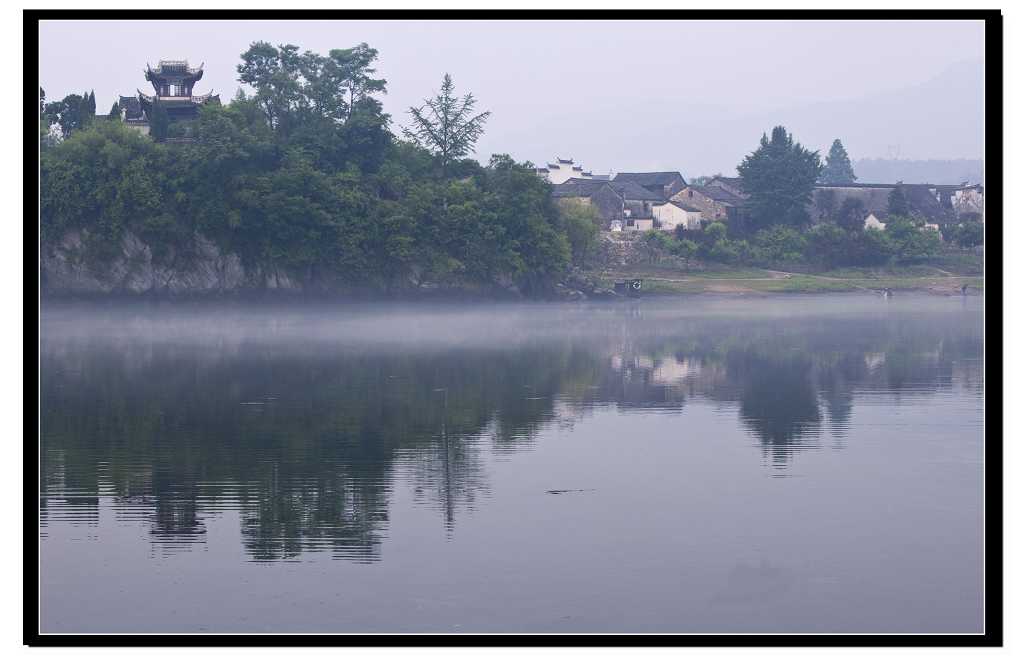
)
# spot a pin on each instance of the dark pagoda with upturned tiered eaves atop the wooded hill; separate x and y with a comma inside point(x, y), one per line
point(173, 86)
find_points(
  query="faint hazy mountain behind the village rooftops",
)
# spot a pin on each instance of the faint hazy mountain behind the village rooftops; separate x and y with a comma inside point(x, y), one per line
point(938, 118)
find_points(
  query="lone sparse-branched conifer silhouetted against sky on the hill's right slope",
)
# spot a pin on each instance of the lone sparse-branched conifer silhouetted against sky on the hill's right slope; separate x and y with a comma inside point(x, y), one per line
point(446, 126)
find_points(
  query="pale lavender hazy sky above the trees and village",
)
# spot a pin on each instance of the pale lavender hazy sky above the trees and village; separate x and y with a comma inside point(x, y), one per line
point(617, 96)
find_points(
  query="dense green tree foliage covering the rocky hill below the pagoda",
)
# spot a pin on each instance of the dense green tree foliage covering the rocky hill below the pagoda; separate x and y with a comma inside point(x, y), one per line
point(305, 176)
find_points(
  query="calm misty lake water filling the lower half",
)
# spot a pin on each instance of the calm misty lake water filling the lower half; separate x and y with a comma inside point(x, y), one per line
point(789, 465)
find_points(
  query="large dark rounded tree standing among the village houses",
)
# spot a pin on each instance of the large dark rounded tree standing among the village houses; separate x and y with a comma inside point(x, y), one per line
point(780, 177)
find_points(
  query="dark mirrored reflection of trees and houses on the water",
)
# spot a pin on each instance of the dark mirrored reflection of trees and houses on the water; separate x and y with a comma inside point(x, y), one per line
point(308, 440)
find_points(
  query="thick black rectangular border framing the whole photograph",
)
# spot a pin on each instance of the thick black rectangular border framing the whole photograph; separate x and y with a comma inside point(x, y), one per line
point(994, 521)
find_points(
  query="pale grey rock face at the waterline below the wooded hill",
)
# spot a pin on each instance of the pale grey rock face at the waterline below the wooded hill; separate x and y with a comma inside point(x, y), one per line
point(67, 270)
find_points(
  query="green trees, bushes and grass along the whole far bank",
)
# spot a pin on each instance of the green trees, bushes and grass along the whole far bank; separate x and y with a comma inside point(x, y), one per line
point(307, 188)
